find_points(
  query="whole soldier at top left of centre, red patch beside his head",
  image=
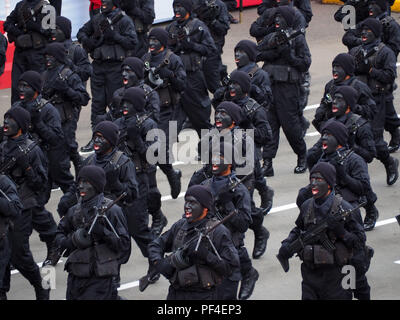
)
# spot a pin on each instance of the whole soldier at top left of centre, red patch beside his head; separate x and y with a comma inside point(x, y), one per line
point(109, 37)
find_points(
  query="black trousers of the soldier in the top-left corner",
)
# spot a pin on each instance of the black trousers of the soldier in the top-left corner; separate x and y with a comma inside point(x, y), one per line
point(25, 60)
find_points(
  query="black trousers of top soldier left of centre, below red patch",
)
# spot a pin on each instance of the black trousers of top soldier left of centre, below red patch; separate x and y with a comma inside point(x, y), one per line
point(105, 80)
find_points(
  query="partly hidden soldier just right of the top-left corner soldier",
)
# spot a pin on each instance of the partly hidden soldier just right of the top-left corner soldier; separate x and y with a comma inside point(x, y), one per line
point(77, 57)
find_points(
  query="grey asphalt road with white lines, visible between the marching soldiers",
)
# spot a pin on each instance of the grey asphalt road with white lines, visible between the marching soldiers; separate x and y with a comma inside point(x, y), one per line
point(324, 39)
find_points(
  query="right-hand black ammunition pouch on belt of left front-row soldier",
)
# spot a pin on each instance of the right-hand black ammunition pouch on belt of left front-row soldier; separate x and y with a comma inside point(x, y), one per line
point(106, 264)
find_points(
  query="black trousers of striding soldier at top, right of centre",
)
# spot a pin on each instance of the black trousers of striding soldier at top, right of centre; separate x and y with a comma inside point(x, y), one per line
point(285, 114)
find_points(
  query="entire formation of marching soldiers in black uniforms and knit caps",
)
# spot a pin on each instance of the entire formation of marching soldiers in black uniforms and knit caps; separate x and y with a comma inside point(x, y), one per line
point(141, 79)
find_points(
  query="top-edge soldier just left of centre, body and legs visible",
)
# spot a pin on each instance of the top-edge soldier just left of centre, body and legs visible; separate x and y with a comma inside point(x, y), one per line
point(190, 39)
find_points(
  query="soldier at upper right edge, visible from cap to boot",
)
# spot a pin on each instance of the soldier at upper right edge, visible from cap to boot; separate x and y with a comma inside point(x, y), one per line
point(376, 66)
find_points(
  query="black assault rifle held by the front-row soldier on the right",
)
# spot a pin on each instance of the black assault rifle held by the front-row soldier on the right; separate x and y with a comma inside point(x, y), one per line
point(316, 234)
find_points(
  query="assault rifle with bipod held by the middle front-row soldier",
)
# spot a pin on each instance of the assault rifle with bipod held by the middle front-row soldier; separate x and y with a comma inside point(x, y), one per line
point(177, 256)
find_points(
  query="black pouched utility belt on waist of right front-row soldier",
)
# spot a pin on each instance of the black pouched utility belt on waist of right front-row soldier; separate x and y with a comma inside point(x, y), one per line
point(315, 256)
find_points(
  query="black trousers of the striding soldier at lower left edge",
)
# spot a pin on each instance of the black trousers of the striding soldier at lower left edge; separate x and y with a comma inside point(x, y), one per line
point(21, 255)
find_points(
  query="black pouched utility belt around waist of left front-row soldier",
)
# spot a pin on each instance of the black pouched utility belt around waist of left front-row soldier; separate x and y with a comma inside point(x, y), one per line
point(99, 260)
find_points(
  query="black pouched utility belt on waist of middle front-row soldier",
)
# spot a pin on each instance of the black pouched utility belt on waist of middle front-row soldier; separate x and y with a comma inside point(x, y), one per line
point(196, 276)
